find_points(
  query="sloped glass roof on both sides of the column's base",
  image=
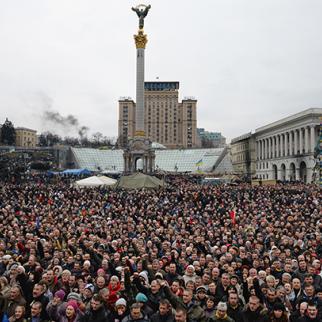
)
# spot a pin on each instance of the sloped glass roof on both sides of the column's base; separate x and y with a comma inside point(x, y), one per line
point(179, 160)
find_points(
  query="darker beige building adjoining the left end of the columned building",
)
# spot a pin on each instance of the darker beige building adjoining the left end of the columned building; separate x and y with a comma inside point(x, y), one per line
point(243, 156)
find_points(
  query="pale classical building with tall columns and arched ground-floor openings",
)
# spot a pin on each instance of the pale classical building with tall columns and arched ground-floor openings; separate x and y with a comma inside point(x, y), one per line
point(285, 148)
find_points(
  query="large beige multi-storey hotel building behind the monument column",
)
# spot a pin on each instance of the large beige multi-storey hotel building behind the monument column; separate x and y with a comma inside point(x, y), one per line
point(167, 121)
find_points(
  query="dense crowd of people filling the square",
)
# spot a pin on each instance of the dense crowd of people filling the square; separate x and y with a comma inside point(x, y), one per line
point(186, 252)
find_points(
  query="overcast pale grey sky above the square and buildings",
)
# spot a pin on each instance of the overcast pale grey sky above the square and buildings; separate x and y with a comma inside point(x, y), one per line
point(248, 62)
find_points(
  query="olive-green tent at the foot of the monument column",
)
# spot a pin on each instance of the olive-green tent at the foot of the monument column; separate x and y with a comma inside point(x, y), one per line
point(138, 181)
